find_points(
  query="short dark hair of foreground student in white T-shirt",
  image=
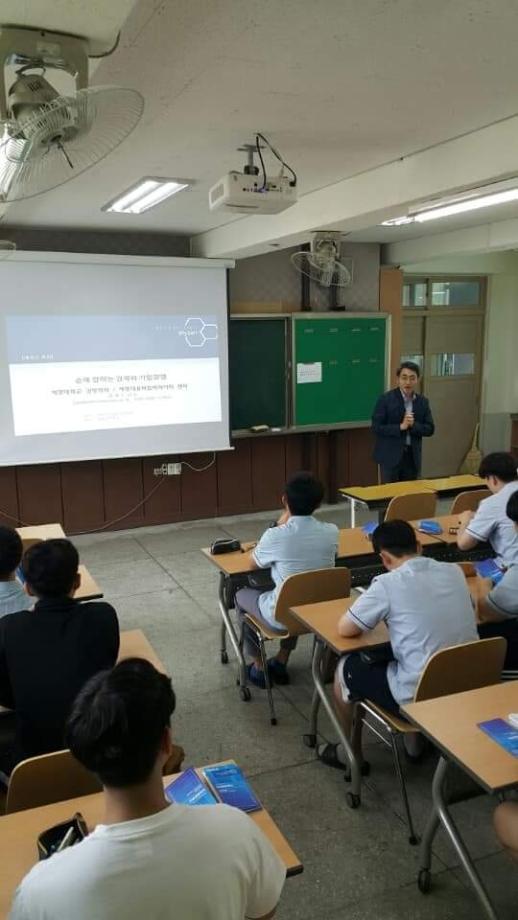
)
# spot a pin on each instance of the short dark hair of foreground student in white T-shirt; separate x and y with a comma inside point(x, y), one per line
point(118, 720)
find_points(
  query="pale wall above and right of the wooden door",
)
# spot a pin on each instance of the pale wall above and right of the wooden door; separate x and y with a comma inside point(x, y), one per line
point(500, 370)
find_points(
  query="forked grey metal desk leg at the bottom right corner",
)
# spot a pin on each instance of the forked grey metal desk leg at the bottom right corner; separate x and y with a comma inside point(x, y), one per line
point(440, 814)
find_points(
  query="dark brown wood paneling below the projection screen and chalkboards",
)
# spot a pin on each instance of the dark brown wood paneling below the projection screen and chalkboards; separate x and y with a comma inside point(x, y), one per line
point(109, 494)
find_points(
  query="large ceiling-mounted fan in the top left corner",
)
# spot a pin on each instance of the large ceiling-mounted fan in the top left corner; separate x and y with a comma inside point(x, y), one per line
point(47, 137)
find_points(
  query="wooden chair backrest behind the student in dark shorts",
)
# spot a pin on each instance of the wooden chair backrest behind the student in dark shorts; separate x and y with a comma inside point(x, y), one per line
point(462, 667)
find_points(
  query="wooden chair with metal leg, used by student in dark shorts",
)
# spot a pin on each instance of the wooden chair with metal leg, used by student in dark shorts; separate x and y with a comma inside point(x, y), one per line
point(451, 670)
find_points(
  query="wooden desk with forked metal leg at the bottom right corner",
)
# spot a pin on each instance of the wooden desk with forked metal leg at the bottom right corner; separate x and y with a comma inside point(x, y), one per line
point(451, 723)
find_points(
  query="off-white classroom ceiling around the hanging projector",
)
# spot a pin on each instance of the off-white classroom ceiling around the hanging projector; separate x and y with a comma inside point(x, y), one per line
point(341, 87)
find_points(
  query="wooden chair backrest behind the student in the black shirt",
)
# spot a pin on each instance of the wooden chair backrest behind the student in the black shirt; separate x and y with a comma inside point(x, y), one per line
point(46, 779)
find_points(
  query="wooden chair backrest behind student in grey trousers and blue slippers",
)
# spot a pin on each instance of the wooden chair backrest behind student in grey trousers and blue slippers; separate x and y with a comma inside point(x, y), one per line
point(310, 588)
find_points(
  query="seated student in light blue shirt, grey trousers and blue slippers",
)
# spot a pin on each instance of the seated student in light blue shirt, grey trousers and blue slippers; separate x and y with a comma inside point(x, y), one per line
point(298, 543)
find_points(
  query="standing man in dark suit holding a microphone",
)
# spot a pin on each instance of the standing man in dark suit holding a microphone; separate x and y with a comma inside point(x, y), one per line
point(400, 420)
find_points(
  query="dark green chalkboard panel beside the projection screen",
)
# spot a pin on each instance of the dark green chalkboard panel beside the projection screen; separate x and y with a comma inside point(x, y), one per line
point(257, 372)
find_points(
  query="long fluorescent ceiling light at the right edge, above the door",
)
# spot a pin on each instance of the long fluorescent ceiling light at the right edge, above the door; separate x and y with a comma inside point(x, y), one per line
point(462, 202)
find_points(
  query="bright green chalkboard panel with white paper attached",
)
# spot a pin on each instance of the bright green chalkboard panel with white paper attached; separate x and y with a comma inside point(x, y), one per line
point(339, 368)
